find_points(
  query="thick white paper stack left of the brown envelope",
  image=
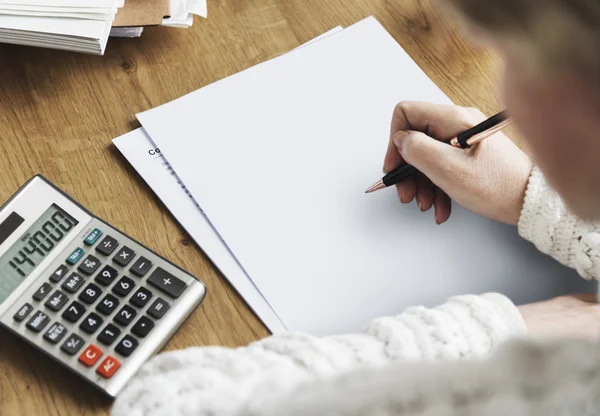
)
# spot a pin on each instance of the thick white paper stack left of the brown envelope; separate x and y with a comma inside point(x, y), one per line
point(59, 24)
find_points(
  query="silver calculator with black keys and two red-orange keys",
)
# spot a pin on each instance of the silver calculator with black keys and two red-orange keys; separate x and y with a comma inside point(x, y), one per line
point(83, 292)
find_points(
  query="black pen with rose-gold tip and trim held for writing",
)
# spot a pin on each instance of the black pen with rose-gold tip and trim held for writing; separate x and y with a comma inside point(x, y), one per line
point(464, 140)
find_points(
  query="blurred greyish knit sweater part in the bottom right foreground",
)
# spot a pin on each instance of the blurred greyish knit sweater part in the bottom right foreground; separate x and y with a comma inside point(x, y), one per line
point(523, 378)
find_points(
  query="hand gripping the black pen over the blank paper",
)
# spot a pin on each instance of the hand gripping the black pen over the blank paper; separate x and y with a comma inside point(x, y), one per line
point(489, 179)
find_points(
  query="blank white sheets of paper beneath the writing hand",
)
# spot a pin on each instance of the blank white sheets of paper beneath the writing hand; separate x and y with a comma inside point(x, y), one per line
point(271, 166)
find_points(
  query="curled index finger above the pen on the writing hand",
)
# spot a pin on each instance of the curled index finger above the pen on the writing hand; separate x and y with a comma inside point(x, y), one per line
point(438, 121)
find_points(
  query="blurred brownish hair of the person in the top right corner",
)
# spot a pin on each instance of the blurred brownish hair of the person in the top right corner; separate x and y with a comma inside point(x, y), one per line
point(557, 31)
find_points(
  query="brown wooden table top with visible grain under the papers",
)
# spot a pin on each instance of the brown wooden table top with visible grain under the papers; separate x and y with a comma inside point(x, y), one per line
point(59, 112)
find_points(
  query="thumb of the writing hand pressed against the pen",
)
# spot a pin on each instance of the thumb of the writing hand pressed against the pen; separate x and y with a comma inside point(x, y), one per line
point(432, 157)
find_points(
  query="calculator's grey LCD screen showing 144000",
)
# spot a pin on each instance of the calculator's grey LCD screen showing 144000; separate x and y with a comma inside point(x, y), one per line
point(35, 244)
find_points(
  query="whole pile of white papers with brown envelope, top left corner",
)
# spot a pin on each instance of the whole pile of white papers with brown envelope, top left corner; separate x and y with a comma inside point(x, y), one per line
point(85, 26)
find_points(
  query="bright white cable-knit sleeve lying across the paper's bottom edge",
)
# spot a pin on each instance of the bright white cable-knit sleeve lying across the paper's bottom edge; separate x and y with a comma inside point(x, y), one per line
point(221, 381)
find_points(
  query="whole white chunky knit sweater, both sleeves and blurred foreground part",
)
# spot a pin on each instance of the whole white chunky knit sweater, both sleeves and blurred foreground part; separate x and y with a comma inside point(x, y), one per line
point(368, 373)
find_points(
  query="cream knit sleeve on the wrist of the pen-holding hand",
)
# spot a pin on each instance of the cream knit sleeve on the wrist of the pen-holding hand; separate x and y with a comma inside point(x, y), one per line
point(546, 222)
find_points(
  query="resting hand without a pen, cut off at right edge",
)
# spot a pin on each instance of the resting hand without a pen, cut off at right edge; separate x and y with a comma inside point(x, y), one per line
point(571, 316)
